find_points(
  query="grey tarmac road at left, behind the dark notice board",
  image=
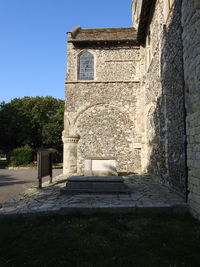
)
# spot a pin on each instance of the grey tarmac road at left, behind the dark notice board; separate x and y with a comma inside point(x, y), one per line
point(13, 182)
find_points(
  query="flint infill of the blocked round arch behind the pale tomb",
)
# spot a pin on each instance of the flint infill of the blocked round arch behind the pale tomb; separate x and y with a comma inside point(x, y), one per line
point(105, 131)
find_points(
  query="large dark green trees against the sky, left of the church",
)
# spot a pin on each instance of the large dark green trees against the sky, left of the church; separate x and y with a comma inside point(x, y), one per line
point(34, 121)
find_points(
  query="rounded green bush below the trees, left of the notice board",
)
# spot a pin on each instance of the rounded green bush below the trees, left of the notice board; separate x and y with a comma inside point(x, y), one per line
point(21, 156)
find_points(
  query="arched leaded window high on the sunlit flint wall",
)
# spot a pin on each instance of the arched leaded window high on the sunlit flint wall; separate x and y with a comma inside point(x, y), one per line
point(86, 66)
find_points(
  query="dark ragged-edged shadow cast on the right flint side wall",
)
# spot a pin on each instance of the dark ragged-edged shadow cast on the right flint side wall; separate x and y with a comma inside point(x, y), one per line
point(166, 147)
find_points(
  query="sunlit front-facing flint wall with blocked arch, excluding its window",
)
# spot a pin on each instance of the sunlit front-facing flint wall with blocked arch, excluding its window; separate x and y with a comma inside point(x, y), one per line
point(104, 112)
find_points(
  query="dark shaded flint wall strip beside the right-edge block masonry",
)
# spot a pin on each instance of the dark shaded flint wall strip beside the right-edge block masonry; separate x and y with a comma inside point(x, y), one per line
point(172, 80)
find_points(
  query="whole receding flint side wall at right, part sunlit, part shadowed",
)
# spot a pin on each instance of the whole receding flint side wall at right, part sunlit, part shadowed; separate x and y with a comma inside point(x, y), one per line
point(164, 100)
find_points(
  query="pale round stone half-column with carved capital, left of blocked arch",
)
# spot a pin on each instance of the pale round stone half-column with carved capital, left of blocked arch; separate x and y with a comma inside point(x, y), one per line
point(70, 154)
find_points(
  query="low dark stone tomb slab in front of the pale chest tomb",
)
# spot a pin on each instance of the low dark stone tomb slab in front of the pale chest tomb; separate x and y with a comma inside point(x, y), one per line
point(96, 184)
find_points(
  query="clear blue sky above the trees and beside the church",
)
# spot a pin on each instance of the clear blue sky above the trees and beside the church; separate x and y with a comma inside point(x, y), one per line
point(33, 40)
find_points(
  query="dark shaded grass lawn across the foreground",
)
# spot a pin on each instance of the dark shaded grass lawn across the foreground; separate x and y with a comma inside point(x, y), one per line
point(117, 240)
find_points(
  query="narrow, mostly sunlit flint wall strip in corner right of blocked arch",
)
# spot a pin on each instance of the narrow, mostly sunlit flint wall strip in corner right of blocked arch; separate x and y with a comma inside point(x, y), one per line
point(153, 104)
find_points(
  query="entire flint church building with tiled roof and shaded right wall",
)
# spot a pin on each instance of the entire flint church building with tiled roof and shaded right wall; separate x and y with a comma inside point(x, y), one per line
point(133, 97)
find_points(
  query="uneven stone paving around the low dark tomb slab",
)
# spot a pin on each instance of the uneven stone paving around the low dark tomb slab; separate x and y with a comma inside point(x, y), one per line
point(145, 196)
